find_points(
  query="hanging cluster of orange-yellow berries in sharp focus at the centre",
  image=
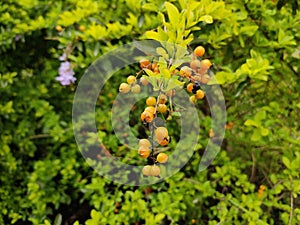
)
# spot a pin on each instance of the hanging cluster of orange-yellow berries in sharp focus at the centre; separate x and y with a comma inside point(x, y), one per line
point(195, 74)
